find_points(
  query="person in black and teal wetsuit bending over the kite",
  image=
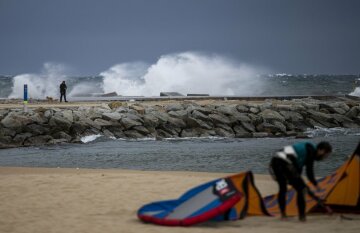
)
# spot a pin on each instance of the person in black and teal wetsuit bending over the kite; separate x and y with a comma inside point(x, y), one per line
point(286, 167)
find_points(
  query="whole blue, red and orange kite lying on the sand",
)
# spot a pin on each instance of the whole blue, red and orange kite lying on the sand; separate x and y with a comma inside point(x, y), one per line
point(235, 197)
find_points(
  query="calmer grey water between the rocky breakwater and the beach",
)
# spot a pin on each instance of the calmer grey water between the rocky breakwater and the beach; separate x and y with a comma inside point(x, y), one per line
point(192, 154)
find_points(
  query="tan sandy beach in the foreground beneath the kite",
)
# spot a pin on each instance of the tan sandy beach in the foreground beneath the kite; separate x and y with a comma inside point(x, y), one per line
point(93, 200)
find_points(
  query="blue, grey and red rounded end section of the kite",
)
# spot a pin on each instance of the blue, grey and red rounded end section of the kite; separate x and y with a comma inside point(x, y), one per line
point(197, 205)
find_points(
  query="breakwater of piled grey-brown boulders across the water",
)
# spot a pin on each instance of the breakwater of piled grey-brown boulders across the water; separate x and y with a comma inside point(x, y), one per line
point(183, 119)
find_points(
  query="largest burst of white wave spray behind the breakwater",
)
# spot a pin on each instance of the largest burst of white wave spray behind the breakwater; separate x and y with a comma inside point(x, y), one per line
point(187, 72)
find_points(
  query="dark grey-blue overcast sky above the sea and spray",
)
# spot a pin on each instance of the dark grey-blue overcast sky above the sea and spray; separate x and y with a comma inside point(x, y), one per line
point(293, 36)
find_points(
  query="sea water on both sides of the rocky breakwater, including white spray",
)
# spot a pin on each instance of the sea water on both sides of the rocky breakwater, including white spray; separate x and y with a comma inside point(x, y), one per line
point(178, 73)
